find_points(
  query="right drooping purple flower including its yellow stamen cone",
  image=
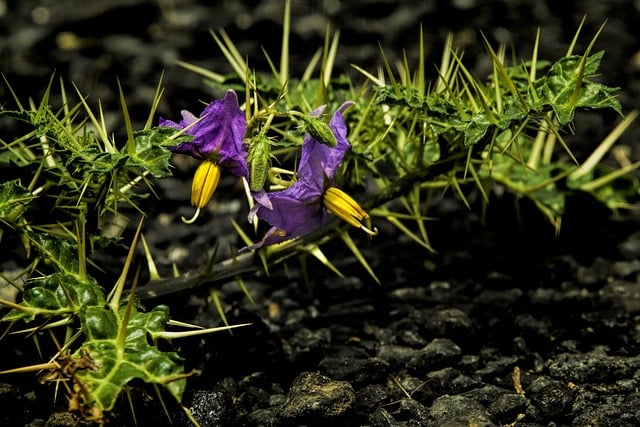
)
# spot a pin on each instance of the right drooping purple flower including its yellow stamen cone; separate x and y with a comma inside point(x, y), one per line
point(302, 207)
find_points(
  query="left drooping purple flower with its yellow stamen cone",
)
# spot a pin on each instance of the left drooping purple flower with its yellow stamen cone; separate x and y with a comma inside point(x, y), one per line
point(217, 140)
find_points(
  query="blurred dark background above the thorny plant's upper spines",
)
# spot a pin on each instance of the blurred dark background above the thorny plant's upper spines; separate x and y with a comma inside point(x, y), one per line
point(93, 42)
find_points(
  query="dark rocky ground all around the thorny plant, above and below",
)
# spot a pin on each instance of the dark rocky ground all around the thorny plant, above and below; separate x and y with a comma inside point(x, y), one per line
point(505, 325)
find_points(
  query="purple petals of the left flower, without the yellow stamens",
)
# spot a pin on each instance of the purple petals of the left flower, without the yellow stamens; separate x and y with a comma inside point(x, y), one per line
point(217, 134)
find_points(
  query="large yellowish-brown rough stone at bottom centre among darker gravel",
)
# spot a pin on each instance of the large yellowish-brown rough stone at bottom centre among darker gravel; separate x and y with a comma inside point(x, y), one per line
point(314, 399)
